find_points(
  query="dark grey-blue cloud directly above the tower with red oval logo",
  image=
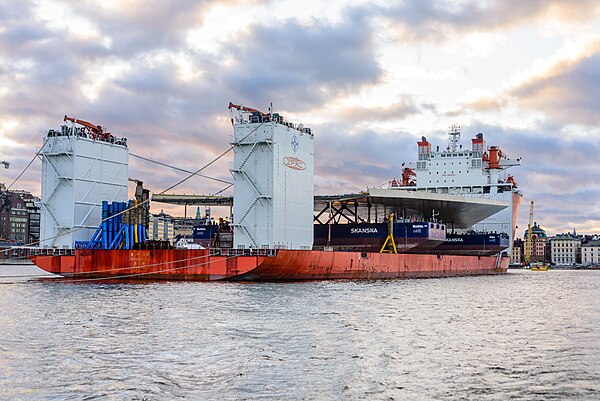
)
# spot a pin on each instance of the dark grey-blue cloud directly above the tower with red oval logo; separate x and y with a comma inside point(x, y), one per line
point(299, 66)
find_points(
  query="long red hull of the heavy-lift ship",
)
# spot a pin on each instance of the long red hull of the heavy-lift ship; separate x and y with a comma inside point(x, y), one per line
point(287, 265)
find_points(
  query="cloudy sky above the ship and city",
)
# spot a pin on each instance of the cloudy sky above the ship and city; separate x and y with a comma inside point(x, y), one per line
point(369, 77)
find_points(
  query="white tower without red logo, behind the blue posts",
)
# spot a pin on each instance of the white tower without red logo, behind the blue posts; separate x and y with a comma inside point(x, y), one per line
point(80, 169)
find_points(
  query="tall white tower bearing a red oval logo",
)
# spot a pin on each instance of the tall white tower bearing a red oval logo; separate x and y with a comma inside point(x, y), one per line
point(273, 182)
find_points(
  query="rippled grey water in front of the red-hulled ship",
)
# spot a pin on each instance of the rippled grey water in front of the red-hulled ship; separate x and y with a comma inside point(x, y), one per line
point(525, 335)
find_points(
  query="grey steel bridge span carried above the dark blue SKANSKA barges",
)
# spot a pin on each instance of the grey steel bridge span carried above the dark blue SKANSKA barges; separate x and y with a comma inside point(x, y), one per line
point(375, 204)
